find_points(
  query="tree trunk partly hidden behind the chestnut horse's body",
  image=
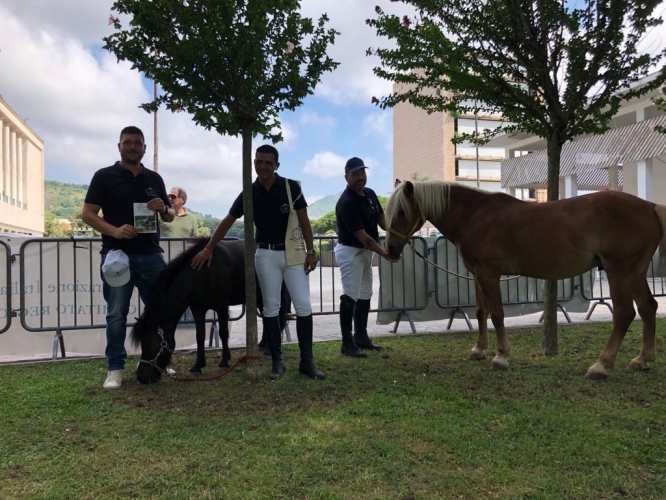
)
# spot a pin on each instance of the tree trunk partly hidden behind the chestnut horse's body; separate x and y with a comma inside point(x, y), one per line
point(550, 286)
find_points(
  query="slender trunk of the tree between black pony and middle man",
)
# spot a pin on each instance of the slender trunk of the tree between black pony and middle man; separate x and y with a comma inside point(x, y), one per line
point(251, 350)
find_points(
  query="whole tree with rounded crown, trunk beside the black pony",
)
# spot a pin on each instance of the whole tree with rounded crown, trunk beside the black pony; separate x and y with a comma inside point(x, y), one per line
point(234, 65)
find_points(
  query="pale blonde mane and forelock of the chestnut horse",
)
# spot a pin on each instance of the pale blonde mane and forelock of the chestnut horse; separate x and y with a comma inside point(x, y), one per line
point(433, 196)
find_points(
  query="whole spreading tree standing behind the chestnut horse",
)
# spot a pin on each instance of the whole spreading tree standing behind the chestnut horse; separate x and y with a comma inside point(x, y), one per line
point(552, 68)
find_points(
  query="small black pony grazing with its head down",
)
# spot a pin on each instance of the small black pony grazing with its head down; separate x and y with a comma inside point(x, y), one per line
point(179, 287)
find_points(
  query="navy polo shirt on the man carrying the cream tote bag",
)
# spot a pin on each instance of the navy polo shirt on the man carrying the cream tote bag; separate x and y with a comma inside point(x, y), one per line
point(271, 209)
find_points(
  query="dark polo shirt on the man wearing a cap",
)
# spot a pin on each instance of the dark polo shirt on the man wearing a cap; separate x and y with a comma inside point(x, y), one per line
point(355, 212)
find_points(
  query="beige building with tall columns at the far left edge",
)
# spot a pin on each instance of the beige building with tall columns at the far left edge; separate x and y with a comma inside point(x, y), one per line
point(21, 176)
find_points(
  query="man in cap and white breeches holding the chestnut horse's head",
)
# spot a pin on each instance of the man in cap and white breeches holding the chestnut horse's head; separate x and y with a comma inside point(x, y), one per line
point(358, 214)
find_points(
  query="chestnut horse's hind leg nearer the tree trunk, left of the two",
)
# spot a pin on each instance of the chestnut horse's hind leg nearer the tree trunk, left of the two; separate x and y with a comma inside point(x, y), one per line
point(623, 314)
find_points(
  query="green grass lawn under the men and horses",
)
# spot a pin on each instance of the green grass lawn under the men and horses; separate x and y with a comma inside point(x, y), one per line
point(417, 421)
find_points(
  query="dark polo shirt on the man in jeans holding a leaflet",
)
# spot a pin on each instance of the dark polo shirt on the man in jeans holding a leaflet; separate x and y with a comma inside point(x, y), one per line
point(115, 190)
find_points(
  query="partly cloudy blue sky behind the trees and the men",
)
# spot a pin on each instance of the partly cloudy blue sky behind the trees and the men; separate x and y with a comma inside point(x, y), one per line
point(77, 98)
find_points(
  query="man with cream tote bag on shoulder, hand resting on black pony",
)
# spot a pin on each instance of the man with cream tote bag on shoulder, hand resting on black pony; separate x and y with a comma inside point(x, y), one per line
point(271, 213)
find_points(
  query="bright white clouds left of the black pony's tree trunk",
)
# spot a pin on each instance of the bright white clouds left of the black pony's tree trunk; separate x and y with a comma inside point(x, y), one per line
point(78, 104)
